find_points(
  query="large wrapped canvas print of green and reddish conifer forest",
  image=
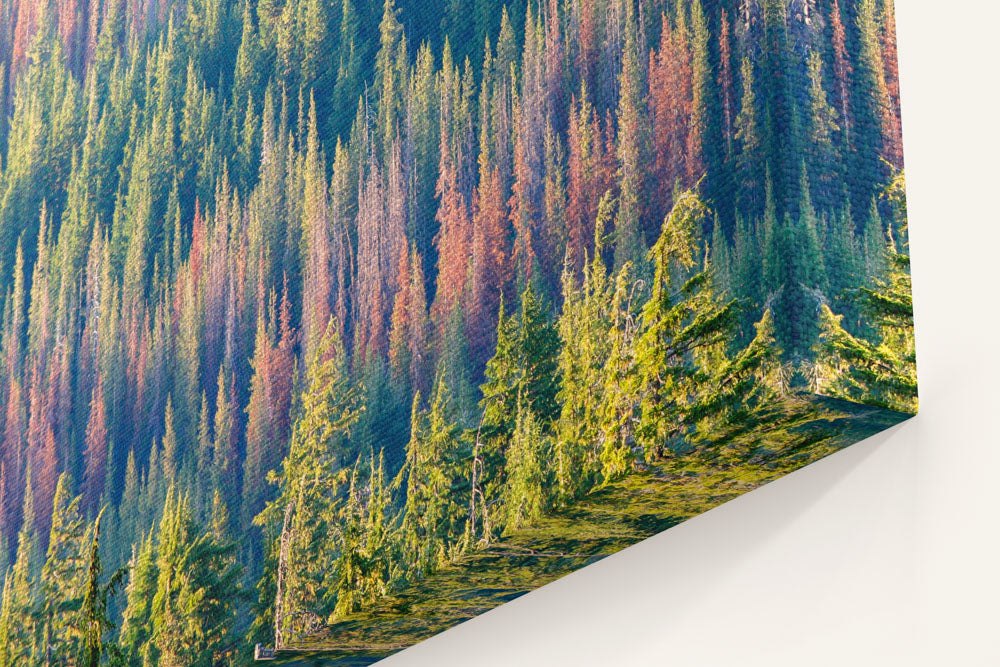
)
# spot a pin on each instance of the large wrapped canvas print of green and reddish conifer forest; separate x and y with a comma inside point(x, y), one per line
point(330, 324)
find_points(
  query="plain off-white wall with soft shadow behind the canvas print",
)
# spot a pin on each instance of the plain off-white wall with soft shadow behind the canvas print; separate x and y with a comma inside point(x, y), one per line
point(884, 554)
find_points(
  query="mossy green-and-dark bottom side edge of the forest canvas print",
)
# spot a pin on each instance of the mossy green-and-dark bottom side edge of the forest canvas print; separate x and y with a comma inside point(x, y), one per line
point(605, 521)
